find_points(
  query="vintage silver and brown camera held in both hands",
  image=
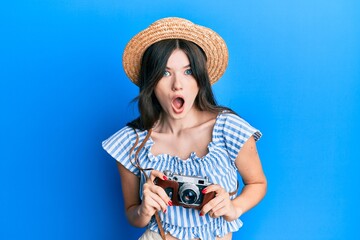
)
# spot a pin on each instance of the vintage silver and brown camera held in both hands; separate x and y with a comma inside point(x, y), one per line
point(186, 190)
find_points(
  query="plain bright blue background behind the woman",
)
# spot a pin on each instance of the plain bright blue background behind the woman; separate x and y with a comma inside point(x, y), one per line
point(294, 73)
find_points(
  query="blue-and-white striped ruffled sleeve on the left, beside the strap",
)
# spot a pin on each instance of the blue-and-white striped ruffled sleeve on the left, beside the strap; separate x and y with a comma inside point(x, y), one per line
point(119, 146)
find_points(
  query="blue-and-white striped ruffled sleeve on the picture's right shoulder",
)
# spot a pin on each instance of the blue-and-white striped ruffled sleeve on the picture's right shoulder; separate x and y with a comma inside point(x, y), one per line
point(236, 132)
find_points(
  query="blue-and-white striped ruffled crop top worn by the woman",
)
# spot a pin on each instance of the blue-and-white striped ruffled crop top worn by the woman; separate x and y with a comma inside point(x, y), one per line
point(229, 134)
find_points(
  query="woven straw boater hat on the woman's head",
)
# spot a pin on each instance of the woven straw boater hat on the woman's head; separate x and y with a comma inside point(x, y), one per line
point(177, 28)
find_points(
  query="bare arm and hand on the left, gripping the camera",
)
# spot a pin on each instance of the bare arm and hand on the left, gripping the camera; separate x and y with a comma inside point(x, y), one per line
point(155, 199)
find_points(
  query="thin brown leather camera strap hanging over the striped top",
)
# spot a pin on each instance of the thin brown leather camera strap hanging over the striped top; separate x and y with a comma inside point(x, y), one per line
point(137, 165)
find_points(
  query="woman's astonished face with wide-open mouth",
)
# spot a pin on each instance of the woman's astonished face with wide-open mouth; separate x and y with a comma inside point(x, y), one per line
point(177, 89)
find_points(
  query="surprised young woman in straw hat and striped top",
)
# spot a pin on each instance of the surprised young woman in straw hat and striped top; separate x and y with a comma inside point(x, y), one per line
point(182, 130)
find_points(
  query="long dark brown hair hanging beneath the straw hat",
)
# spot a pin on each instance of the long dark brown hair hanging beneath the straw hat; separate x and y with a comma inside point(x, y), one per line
point(152, 70)
